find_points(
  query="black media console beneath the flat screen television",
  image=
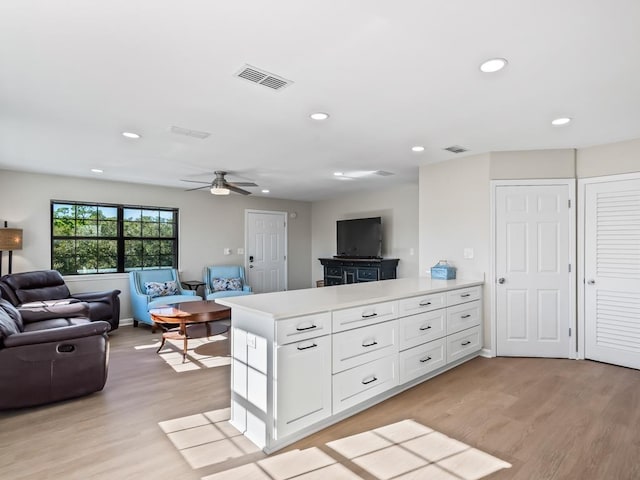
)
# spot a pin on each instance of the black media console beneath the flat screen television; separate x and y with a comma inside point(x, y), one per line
point(338, 271)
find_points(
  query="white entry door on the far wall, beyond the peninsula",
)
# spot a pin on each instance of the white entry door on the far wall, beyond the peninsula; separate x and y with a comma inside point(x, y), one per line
point(266, 251)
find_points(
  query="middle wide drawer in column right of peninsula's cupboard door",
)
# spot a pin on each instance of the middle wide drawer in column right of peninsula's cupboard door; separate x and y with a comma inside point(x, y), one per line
point(361, 345)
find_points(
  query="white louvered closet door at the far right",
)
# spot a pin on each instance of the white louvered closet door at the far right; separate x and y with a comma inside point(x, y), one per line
point(612, 272)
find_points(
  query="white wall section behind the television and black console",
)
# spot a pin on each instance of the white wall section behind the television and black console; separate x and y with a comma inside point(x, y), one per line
point(398, 207)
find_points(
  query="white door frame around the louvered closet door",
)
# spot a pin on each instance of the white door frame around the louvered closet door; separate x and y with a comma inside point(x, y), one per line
point(582, 197)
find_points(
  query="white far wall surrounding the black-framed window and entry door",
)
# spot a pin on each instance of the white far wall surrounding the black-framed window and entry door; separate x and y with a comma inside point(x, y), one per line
point(208, 225)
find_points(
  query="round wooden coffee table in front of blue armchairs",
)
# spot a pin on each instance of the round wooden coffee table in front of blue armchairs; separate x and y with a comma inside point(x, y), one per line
point(184, 314)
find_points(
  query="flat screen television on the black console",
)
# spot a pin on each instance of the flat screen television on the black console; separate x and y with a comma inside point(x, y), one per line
point(359, 238)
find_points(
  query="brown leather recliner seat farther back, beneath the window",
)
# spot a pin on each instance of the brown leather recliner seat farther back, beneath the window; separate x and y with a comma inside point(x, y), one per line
point(48, 285)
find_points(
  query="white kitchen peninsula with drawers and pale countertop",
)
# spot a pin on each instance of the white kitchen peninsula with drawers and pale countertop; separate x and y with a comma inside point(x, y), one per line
point(304, 359)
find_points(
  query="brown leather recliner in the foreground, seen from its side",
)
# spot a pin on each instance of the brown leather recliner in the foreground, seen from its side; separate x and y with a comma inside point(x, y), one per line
point(47, 356)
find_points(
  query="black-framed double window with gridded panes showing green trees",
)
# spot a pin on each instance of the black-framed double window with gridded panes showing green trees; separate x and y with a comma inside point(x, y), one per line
point(98, 238)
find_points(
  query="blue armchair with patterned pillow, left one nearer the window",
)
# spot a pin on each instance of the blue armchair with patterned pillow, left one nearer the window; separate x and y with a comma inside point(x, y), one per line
point(141, 301)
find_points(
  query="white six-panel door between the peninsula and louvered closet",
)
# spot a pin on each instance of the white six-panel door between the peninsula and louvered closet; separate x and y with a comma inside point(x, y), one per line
point(533, 245)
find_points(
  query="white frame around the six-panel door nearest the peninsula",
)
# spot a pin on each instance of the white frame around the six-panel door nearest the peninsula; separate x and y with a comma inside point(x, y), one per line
point(570, 183)
